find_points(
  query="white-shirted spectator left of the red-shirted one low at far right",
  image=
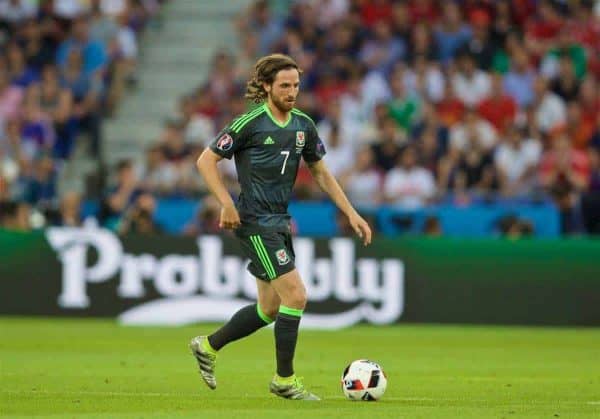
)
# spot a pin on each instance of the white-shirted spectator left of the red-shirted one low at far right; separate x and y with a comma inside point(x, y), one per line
point(516, 161)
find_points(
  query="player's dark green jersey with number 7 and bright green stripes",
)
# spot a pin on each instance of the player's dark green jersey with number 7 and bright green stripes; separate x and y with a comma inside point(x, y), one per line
point(267, 157)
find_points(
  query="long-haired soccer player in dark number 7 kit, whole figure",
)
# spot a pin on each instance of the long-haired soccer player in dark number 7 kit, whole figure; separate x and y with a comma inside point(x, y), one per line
point(268, 143)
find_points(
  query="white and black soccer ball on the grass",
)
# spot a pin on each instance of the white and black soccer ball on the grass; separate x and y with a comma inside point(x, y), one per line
point(363, 380)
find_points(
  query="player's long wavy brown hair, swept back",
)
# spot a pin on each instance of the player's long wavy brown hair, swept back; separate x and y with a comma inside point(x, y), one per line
point(265, 70)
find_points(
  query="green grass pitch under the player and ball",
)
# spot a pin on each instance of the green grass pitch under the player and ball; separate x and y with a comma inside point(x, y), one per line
point(97, 369)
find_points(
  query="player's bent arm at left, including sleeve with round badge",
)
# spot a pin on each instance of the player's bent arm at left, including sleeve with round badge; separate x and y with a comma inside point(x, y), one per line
point(223, 146)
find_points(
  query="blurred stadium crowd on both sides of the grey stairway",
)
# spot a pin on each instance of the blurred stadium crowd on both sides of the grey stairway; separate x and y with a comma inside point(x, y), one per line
point(417, 101)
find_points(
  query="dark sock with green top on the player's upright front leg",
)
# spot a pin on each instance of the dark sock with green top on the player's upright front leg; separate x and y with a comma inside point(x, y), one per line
point(286, 336)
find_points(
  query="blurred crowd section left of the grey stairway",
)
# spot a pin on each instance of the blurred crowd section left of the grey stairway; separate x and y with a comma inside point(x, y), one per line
point(64, 66)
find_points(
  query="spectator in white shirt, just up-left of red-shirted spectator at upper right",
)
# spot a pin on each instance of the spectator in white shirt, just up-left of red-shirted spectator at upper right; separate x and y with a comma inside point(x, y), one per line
point(471, 85)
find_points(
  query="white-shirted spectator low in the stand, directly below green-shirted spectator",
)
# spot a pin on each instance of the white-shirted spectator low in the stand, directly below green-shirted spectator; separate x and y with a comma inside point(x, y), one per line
point(409, 186)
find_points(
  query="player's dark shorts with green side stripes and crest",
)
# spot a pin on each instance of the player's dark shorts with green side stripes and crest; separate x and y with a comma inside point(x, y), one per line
point(271, 254)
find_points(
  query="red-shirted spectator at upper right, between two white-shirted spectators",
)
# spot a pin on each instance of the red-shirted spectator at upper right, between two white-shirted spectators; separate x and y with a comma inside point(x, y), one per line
point(498, 108)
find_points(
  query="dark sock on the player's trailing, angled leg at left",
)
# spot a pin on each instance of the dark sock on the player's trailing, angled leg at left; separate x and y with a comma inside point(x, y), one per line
point(243, 323)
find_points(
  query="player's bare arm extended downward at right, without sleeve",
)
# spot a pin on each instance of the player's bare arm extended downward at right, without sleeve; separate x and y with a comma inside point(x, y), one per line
point(329, 185)
